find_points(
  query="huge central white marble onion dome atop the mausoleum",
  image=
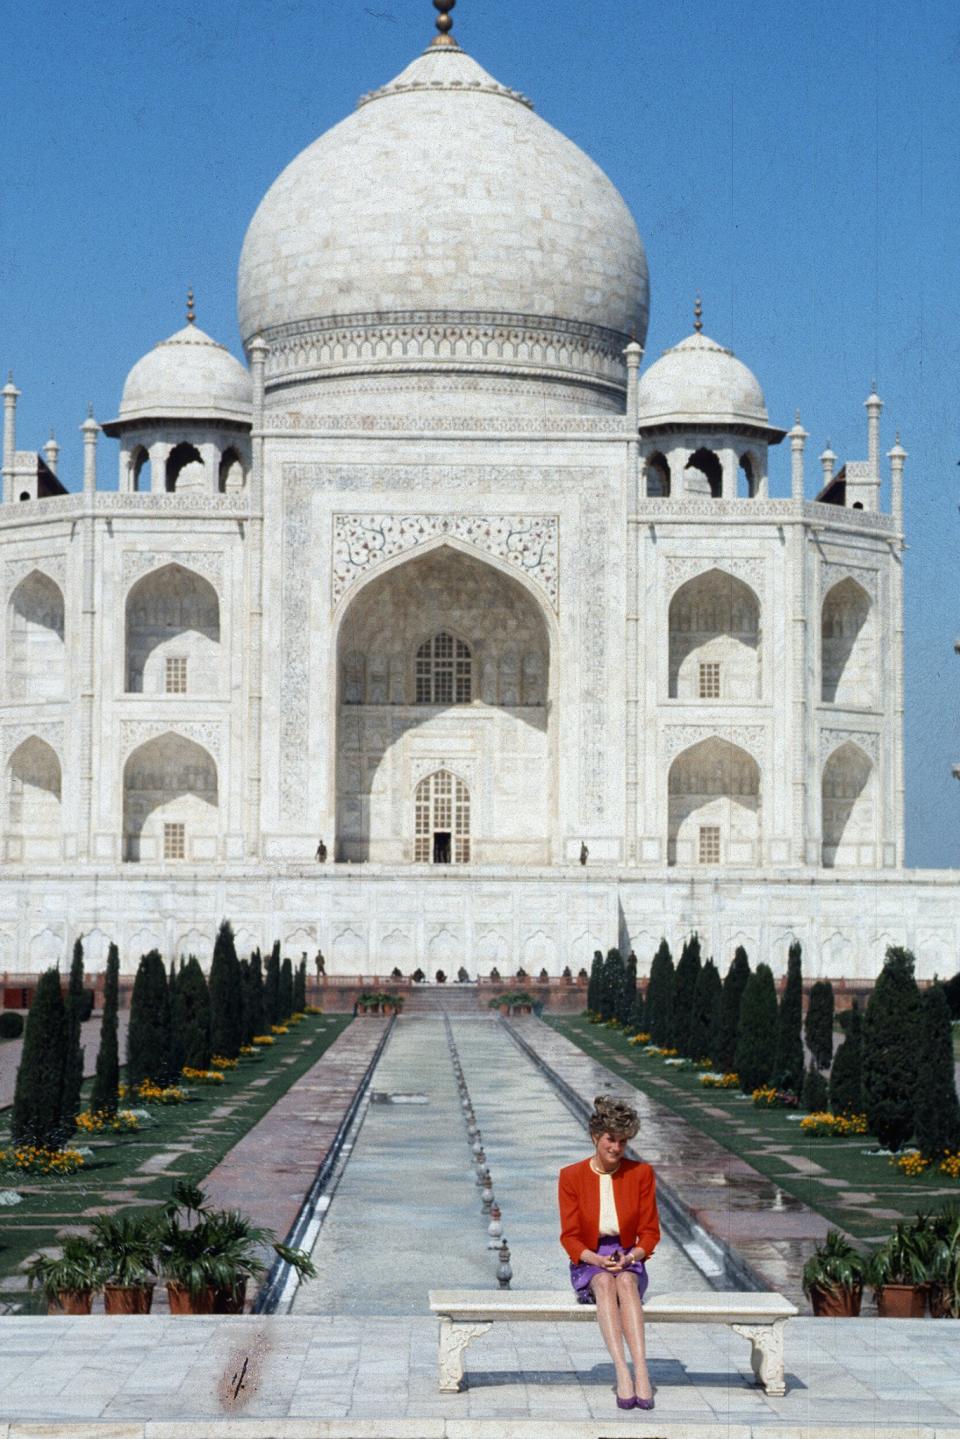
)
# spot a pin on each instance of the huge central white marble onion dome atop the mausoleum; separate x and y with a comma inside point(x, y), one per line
point(445, 201)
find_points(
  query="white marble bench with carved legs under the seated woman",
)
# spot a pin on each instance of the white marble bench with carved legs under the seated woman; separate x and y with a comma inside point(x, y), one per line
point(466, 1315)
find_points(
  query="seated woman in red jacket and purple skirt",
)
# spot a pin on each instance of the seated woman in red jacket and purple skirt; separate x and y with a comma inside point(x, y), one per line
point(610, 1230)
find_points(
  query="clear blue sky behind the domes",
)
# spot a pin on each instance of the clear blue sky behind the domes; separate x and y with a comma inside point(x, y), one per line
point(798, 165)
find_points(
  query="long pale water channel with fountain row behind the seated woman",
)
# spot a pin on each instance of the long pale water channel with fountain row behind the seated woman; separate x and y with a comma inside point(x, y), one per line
point(404, 1215)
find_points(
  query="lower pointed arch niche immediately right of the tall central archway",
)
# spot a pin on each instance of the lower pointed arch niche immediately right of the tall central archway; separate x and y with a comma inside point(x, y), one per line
point(715, 807)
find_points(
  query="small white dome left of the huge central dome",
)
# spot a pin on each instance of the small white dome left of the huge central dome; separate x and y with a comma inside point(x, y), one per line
point(186, 378)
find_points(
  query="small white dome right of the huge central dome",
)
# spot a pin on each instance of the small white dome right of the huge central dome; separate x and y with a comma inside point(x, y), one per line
point(702, 382)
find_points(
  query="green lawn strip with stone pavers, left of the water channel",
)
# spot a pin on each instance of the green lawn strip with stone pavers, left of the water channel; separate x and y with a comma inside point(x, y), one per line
point(135, 1172)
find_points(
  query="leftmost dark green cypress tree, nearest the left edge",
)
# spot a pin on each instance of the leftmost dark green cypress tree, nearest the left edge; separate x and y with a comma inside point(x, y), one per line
point(38, 1097)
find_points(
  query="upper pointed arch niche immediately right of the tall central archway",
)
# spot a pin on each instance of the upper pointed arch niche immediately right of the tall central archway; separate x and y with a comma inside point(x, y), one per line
point(715, 641)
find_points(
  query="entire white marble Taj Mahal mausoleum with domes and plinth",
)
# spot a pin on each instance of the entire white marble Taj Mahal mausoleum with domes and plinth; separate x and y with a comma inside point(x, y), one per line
point(456, 579)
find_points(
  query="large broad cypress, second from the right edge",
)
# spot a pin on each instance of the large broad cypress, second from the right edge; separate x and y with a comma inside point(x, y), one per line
point(892, 1047)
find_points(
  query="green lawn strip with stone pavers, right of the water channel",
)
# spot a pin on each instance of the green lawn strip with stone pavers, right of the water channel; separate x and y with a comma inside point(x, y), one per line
point(856, 1191)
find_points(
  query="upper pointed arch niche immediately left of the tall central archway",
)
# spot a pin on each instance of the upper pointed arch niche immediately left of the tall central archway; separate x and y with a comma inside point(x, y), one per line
point(173, 634)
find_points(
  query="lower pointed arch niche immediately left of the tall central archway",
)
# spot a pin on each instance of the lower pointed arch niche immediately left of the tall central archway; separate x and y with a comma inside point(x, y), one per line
point(171, 802)
